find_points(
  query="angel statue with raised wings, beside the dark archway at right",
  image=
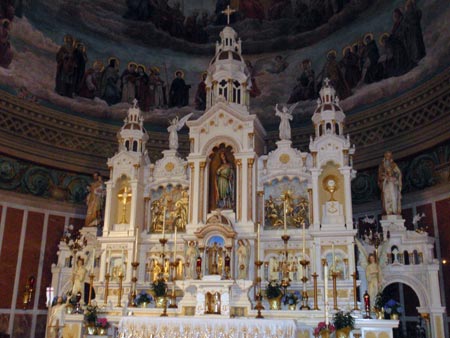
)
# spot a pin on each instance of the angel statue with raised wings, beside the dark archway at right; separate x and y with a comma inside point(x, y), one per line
point(372, 263)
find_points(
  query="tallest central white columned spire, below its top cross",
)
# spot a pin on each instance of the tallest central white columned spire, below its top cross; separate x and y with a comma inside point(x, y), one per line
point(228, 77)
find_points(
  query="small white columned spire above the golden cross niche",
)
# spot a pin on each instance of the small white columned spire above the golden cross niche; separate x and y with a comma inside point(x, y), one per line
point(133, 136)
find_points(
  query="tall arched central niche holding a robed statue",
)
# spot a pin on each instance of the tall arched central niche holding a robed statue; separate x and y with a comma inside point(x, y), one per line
point(222, 179)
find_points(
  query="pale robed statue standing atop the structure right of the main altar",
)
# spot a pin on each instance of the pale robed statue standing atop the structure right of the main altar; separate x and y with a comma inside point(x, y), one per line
point(390, 183)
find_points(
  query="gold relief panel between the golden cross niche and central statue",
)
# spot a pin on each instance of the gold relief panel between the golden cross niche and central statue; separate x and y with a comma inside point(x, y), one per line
point(169, 209)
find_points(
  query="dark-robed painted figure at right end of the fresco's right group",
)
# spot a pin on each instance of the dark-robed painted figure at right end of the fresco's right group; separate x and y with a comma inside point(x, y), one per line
point(413, 32)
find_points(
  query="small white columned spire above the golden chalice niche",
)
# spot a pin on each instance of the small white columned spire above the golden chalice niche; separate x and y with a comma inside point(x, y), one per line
point(328, 117)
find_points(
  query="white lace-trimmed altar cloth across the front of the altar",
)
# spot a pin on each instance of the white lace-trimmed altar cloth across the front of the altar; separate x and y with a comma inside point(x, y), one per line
point(205, 327)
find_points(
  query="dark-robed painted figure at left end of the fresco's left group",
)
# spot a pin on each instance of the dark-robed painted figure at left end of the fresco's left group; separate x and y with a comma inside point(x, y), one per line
point(65, 68)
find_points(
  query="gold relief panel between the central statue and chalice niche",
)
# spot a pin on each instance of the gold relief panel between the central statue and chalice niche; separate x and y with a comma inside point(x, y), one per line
point(286, 201)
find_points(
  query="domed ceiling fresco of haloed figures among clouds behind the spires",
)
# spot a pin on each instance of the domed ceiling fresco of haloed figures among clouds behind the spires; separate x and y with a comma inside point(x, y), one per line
point(91, 58)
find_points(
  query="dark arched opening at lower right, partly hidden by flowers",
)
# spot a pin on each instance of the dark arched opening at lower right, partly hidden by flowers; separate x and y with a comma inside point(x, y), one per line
point(411, 325)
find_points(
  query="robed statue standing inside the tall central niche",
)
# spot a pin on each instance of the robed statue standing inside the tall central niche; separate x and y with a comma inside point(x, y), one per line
point(225, 183)
